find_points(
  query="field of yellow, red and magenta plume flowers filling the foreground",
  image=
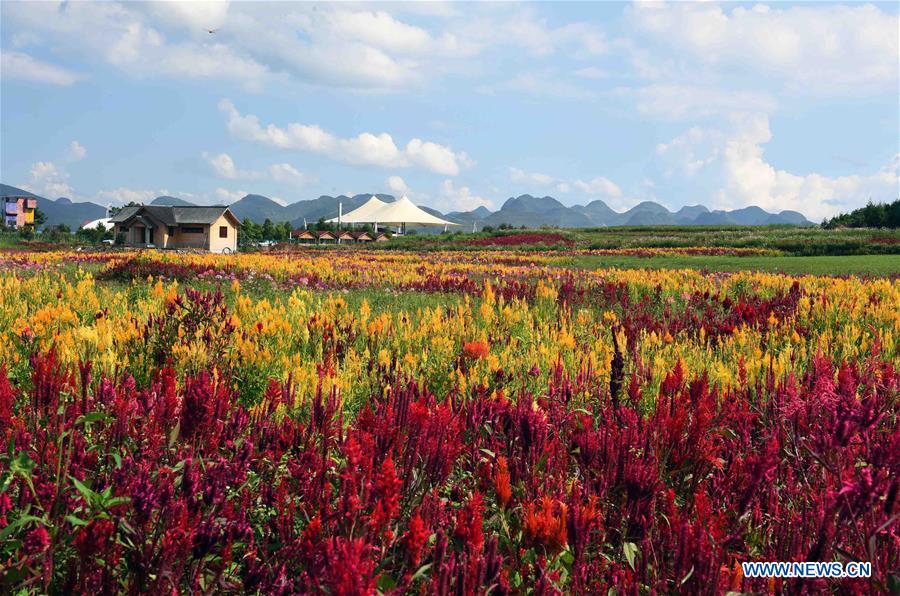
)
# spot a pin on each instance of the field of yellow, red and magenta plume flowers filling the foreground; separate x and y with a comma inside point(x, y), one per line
point(480, 421)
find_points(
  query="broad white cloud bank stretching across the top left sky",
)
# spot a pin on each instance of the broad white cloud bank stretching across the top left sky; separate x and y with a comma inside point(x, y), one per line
point(345, 45)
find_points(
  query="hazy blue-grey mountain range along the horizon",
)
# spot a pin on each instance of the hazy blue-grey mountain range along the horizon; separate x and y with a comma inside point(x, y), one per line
point(524, 210)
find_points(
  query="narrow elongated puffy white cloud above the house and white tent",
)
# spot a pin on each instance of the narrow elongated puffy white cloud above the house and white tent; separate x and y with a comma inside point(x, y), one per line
point(364, 149)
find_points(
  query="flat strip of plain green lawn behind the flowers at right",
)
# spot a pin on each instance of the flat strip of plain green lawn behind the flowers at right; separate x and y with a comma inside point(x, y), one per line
point(873, 265)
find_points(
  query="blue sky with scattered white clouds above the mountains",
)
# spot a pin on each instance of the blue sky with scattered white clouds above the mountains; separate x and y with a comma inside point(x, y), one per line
point(786, 106)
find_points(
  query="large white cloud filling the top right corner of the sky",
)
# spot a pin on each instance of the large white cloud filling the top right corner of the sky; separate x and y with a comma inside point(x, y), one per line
point(826, 50)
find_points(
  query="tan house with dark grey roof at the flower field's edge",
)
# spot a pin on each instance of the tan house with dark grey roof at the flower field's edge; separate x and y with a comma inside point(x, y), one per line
point(157, 226)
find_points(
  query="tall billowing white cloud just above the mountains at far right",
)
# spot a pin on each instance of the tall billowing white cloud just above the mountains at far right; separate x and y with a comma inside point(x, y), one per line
point(731, 163)
